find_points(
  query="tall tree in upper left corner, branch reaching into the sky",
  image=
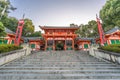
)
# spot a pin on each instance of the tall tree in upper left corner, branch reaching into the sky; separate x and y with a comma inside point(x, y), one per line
point(5, 8)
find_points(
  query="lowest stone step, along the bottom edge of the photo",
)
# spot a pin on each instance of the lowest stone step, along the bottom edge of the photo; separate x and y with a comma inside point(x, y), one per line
point(60, 76)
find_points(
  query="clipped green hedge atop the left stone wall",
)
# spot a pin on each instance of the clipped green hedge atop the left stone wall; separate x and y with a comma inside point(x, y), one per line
point(8, 47)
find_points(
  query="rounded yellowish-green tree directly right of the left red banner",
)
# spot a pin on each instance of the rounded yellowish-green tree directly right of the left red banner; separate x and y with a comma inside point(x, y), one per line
point(28, 27)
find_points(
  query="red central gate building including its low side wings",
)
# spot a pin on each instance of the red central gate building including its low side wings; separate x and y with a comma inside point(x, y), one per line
point(59, 38)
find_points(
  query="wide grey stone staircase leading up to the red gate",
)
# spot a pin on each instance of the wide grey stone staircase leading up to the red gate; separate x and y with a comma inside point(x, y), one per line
point(59, 65)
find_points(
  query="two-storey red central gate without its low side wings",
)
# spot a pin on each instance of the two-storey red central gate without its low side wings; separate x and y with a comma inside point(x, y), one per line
point(59, 38)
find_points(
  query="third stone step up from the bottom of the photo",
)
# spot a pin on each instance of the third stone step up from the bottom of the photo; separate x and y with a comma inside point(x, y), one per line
point(59, 68)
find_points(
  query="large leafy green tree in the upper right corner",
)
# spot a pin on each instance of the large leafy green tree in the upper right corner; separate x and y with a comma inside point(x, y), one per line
point(110, 14)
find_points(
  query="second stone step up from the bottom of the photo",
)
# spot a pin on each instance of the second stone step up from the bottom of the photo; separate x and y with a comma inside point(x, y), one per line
point(59, 71)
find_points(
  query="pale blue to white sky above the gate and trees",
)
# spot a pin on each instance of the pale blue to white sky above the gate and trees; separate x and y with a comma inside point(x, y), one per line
point(57, 12)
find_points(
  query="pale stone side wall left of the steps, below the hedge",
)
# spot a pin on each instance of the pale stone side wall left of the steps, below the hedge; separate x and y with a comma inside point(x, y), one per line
point(12, 55)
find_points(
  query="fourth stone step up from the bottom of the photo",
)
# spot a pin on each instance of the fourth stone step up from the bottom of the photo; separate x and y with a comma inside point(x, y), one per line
point(62, 65)
